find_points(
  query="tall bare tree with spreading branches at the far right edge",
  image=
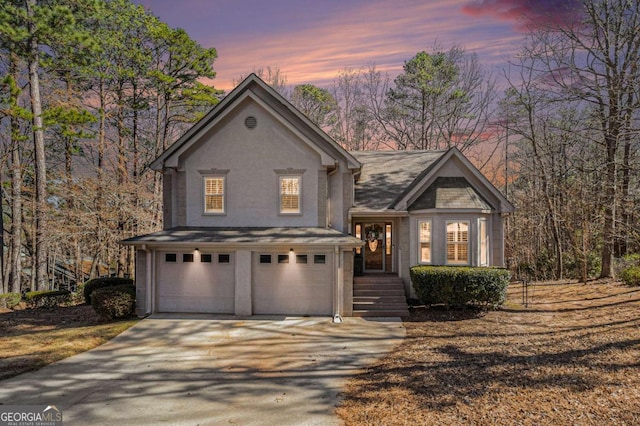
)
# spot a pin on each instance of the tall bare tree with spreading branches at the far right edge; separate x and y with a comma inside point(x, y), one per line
point(593, 61)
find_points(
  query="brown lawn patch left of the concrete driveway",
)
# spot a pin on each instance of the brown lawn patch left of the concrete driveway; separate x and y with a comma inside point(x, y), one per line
point(33, 338)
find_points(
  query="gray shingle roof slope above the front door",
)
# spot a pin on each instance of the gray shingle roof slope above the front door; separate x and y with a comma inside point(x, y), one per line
point(387, 175)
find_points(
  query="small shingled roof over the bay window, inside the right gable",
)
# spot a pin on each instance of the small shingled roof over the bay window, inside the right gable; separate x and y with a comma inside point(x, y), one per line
point(450, 193)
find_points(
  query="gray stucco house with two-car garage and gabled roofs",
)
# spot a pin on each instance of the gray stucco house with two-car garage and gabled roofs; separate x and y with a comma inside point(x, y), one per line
point(265, 214)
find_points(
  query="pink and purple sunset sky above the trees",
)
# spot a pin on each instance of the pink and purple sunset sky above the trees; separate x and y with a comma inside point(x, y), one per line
point(312, 40)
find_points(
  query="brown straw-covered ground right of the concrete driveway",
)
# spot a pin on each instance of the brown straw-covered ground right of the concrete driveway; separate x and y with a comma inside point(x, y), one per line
point(571, 358)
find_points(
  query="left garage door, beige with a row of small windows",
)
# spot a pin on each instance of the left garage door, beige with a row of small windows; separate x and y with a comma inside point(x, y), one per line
point(196, 282)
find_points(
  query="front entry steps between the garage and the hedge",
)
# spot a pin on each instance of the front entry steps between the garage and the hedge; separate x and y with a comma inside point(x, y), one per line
point(379, 295)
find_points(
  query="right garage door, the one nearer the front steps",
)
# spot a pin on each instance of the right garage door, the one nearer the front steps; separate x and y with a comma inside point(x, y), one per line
point(292, 283)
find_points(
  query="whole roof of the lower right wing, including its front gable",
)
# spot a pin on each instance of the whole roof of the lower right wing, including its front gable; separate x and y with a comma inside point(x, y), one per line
point(395, 180)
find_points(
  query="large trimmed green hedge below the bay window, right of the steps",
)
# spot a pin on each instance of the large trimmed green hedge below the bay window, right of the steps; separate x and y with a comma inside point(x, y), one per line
point(458, 286)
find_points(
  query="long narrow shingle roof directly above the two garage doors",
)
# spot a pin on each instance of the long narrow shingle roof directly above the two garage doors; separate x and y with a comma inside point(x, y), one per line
point(245, 235)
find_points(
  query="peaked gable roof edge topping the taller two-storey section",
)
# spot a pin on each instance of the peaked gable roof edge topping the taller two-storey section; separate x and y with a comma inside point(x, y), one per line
point(263, 94)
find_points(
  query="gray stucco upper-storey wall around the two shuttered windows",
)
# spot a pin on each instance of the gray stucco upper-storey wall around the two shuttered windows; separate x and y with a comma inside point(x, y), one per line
point(252, 158)
